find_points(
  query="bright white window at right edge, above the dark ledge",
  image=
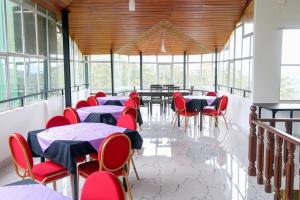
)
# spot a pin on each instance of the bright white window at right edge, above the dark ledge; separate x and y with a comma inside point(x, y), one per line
point(290, 65)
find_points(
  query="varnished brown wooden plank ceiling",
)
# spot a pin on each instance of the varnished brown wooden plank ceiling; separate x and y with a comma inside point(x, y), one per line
point(194, 26)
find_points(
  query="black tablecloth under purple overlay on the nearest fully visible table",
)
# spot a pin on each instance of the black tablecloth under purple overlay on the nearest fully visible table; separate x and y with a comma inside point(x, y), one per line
point(64, 152)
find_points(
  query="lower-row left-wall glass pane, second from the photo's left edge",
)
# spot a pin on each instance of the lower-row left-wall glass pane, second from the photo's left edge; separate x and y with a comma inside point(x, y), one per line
point(16, 79)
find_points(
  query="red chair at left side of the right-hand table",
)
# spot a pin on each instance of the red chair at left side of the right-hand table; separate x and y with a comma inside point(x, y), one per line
point(180, 107)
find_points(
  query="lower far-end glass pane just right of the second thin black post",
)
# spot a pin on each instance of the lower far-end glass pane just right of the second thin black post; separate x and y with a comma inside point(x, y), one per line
point(149, 75)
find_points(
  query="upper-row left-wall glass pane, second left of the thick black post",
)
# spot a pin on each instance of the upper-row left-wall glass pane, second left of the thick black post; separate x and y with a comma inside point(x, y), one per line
point(42, 35)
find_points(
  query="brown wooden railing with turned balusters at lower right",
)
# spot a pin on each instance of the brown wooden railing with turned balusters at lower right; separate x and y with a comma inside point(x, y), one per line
point(276, 160)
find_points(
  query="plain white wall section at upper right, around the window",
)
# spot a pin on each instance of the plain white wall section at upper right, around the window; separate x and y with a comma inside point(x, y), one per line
point(269, 19)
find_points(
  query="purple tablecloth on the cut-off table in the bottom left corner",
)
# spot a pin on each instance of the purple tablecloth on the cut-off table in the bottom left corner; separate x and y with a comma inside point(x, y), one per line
point(33, 191)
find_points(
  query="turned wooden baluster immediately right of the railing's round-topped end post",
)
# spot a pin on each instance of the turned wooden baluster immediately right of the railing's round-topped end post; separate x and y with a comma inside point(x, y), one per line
point(260, 155)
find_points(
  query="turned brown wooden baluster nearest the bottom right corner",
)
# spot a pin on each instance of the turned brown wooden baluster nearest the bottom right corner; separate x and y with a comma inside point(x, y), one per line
point(289, 181)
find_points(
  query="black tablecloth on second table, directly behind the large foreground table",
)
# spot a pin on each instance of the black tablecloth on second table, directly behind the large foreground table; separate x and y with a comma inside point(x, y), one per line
point(107, 118)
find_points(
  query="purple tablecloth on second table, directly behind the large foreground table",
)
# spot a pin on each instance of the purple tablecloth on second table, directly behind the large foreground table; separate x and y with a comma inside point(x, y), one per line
point(115, 111)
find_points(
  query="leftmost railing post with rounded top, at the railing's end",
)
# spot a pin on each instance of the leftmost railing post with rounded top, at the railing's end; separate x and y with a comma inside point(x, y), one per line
point(252, 142)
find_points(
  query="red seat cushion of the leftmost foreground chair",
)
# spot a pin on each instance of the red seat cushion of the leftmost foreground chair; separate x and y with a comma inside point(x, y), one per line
point(48, 171)
